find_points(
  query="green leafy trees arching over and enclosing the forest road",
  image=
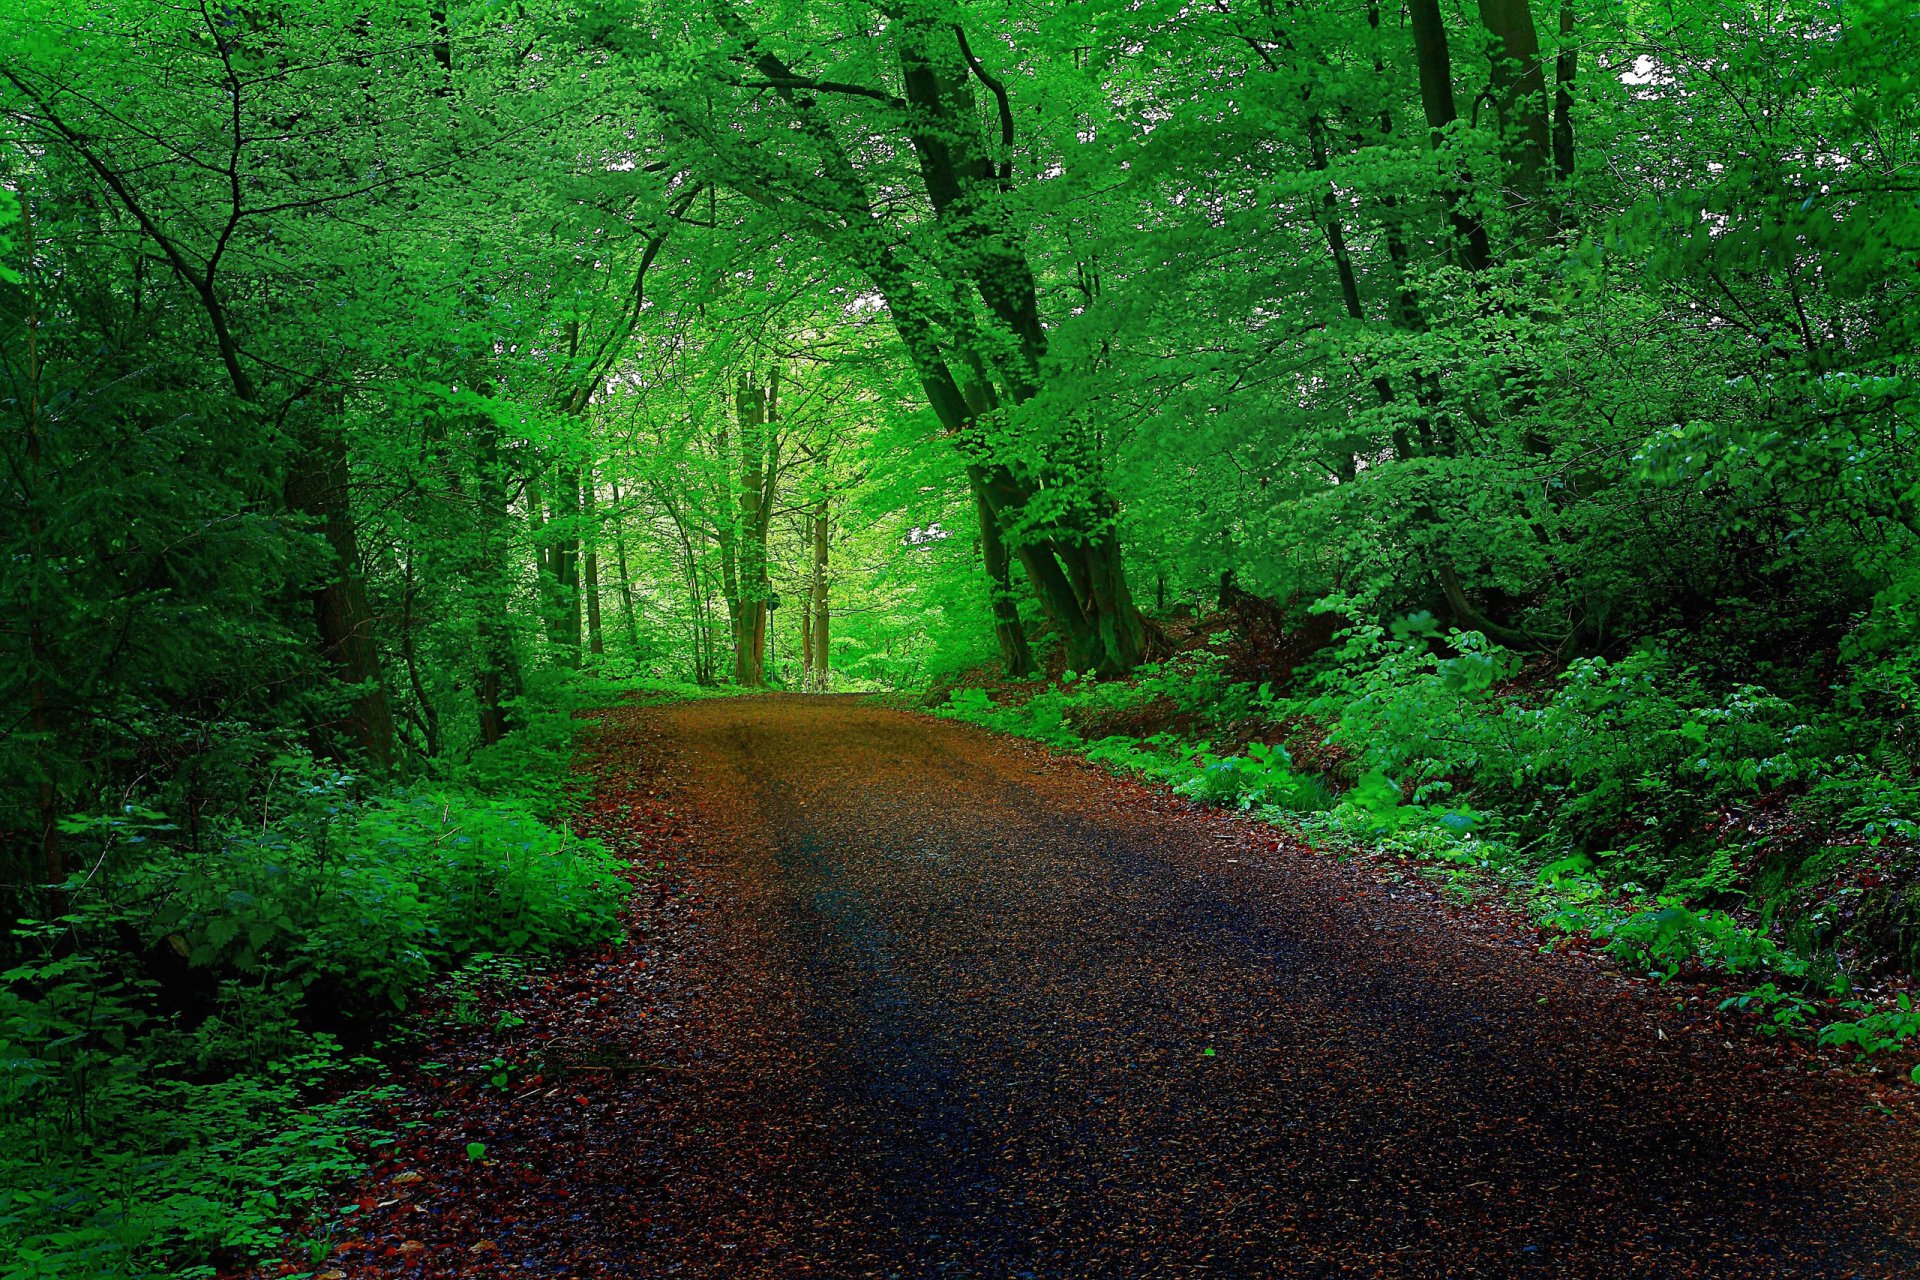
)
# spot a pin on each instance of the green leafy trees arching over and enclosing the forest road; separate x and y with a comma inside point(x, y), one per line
point(381, 375)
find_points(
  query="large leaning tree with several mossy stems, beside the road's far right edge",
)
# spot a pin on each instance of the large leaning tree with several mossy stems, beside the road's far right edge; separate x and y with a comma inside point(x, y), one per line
point(948, 262)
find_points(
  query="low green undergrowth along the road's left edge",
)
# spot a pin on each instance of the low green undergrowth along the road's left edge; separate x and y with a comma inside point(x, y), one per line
point(199, 1031)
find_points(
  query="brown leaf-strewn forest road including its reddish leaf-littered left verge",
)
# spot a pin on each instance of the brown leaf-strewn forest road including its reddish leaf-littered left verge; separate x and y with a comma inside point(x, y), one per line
point(907, 999)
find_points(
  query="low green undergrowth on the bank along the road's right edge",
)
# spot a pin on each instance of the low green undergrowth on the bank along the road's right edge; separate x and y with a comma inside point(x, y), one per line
point(1692, 832)
